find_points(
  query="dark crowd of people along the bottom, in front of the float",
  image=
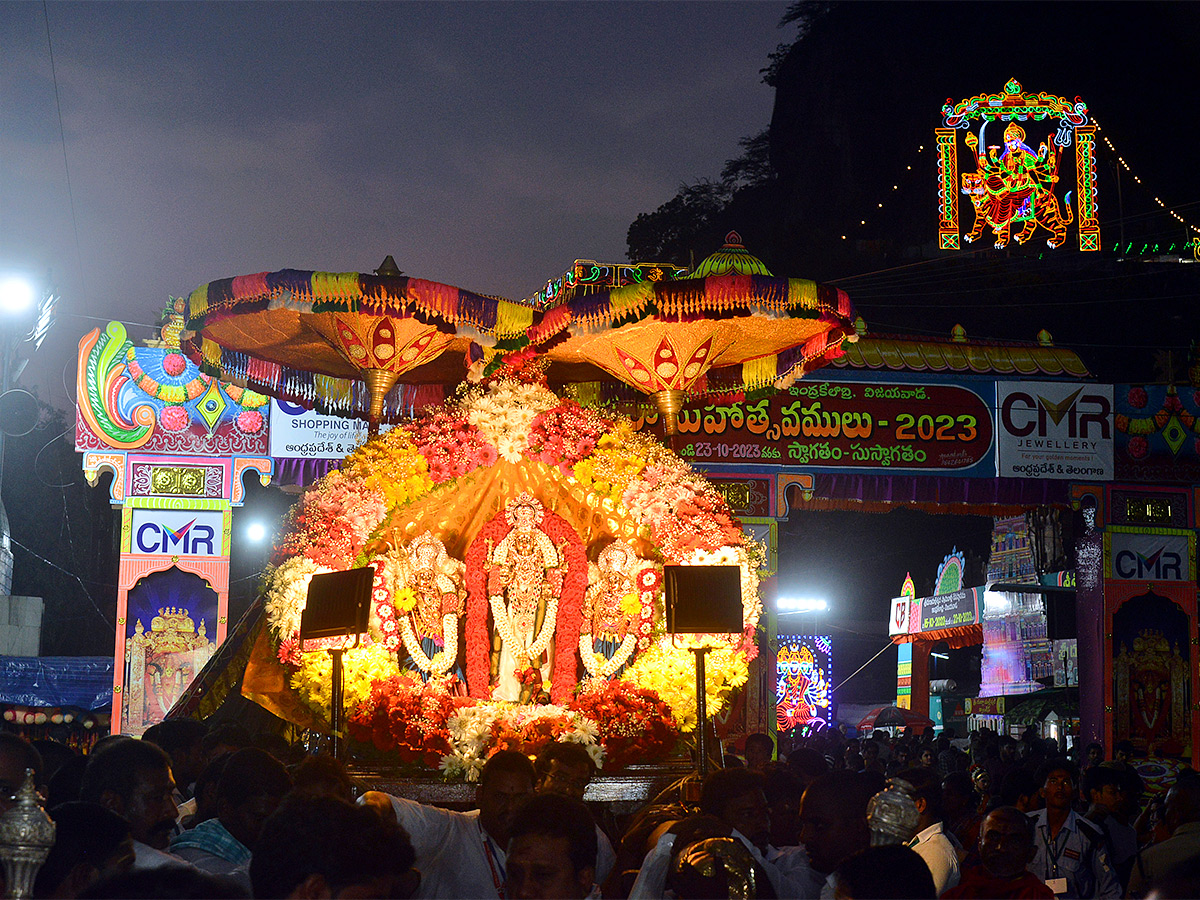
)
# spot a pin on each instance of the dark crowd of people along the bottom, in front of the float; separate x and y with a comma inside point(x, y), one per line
point(191, 812)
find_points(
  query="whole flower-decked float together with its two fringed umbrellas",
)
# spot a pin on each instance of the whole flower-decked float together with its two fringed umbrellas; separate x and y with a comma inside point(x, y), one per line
point(518, 537)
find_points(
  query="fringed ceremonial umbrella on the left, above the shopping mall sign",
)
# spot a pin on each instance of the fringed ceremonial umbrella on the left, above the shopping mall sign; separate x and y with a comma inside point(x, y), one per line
point(341, 341)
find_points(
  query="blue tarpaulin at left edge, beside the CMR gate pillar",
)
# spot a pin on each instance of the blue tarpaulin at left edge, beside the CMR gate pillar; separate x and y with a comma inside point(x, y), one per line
point(85, 682)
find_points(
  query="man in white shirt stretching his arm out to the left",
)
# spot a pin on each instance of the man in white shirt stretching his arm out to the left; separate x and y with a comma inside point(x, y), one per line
point(463, 855)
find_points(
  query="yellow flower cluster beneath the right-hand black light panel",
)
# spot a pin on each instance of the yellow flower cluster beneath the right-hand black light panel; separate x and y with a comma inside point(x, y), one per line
point(671, 673)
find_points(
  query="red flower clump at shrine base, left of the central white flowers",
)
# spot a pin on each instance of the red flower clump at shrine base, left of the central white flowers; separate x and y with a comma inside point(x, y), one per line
point(407, 717)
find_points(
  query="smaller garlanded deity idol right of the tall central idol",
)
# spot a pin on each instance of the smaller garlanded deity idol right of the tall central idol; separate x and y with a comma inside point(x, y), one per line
point(609, 639)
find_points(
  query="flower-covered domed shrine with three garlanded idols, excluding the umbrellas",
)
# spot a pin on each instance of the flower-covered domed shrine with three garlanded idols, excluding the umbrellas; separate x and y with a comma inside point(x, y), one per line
point(519, 541)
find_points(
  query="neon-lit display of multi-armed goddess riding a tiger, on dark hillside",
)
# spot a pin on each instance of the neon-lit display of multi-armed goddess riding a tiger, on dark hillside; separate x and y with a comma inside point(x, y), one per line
point(1027, 164)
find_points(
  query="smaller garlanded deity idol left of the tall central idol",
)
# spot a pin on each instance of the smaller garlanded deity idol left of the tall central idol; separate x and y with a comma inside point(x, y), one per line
point(430, 629)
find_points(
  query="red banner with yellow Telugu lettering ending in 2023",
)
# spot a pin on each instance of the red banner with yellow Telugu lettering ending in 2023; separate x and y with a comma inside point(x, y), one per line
point(848, 425)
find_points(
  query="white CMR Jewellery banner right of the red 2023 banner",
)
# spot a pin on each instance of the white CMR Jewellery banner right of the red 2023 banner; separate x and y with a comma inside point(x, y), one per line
point(1054, 431)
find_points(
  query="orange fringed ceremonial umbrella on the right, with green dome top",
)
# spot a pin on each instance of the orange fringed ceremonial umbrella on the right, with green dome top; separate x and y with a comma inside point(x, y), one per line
point(731, 326)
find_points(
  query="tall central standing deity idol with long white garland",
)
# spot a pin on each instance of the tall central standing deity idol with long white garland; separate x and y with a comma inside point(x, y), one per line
point(525, 580)
